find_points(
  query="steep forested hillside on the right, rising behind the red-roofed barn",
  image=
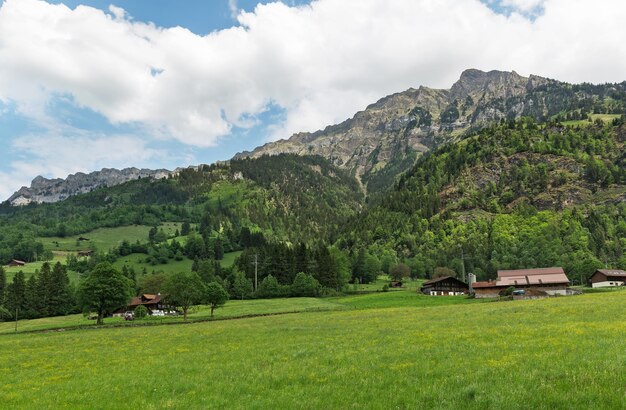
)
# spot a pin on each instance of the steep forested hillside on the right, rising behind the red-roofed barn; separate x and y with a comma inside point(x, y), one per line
point(514, 195)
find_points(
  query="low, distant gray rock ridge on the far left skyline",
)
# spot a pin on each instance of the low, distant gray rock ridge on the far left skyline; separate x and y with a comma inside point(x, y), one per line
point(54, 190)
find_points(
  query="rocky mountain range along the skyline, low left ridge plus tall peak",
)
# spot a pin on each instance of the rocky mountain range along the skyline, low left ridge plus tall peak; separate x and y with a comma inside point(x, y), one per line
point(384, 140)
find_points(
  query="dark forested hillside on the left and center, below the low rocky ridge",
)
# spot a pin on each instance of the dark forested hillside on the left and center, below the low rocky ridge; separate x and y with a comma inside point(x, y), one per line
point(284, 198)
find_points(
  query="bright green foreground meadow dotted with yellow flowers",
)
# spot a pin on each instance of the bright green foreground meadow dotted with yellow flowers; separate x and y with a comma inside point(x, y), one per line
point(552, 353)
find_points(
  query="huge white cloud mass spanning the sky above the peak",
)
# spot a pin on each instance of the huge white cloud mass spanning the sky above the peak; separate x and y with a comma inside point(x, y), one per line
point(321, 63)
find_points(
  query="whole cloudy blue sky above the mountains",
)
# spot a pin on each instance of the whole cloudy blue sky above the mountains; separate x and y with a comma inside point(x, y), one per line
point(89, 84)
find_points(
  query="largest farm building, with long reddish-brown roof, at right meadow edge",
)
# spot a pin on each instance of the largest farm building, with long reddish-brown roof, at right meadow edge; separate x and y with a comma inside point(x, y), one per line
point(547, 281)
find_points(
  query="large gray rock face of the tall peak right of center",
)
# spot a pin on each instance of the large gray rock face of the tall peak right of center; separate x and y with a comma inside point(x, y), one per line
point(413, 120)
